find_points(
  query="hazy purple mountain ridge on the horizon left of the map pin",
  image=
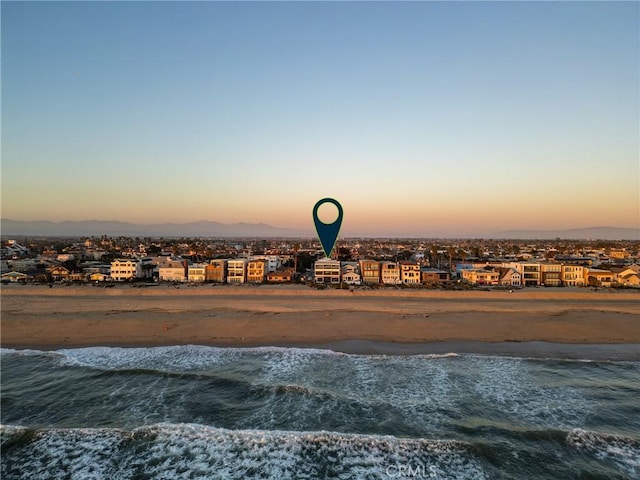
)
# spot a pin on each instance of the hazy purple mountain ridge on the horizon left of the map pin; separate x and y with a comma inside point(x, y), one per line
point(113, 228)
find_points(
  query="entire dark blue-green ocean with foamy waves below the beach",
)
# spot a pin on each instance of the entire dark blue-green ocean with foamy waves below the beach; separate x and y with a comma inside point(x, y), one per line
point(195, 412)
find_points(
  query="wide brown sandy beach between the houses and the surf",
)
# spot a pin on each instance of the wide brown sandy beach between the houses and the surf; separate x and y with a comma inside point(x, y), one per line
point(75, 316)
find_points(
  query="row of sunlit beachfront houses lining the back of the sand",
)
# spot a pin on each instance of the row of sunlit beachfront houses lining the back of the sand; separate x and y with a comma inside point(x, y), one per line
point(328, 271)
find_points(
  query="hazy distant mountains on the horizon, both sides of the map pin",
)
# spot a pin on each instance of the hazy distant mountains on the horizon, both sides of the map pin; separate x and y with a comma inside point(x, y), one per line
point(261, 230)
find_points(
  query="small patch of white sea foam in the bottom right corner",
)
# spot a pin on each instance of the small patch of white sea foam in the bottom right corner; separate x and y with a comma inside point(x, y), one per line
point(623, 452)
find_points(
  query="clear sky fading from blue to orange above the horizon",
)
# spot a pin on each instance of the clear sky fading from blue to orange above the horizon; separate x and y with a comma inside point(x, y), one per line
point(420, 118)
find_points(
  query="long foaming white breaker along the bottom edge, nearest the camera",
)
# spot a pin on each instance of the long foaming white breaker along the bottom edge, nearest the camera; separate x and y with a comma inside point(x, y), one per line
point(178, 450)
